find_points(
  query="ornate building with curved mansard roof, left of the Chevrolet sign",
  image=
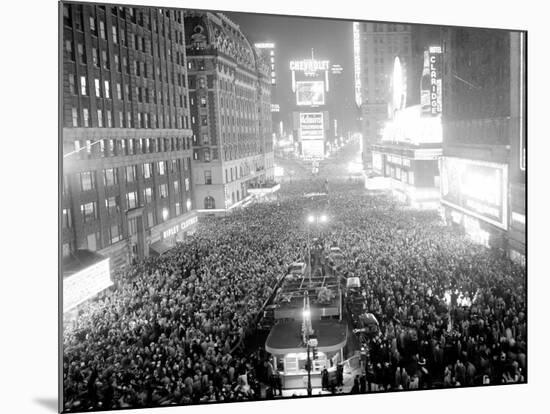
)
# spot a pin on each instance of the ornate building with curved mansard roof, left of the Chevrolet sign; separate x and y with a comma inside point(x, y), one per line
point(229, 90)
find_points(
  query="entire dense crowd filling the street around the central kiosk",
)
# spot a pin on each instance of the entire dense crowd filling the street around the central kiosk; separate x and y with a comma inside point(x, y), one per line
point(169, 331)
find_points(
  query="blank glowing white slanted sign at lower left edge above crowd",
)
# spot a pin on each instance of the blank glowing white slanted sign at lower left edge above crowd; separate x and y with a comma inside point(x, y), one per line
point(85, 284)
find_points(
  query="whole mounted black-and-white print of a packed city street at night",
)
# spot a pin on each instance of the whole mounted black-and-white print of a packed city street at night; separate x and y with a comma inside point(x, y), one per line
point(260, 207)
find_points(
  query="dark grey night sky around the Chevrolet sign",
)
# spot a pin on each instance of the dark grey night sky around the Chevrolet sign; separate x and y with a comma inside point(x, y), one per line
point(294, 37)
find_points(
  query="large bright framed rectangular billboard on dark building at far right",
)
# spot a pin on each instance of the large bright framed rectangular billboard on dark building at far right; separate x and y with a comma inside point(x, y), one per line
point(478, 188)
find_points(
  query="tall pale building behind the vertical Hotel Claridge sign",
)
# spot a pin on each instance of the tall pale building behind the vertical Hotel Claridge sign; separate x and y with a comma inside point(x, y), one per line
point(376, 45)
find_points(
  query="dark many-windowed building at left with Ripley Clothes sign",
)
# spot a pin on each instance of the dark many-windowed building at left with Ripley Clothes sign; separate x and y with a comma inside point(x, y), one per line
point(126, 137)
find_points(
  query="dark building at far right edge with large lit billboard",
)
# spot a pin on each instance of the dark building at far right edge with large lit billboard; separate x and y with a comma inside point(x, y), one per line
point(483, 164)
